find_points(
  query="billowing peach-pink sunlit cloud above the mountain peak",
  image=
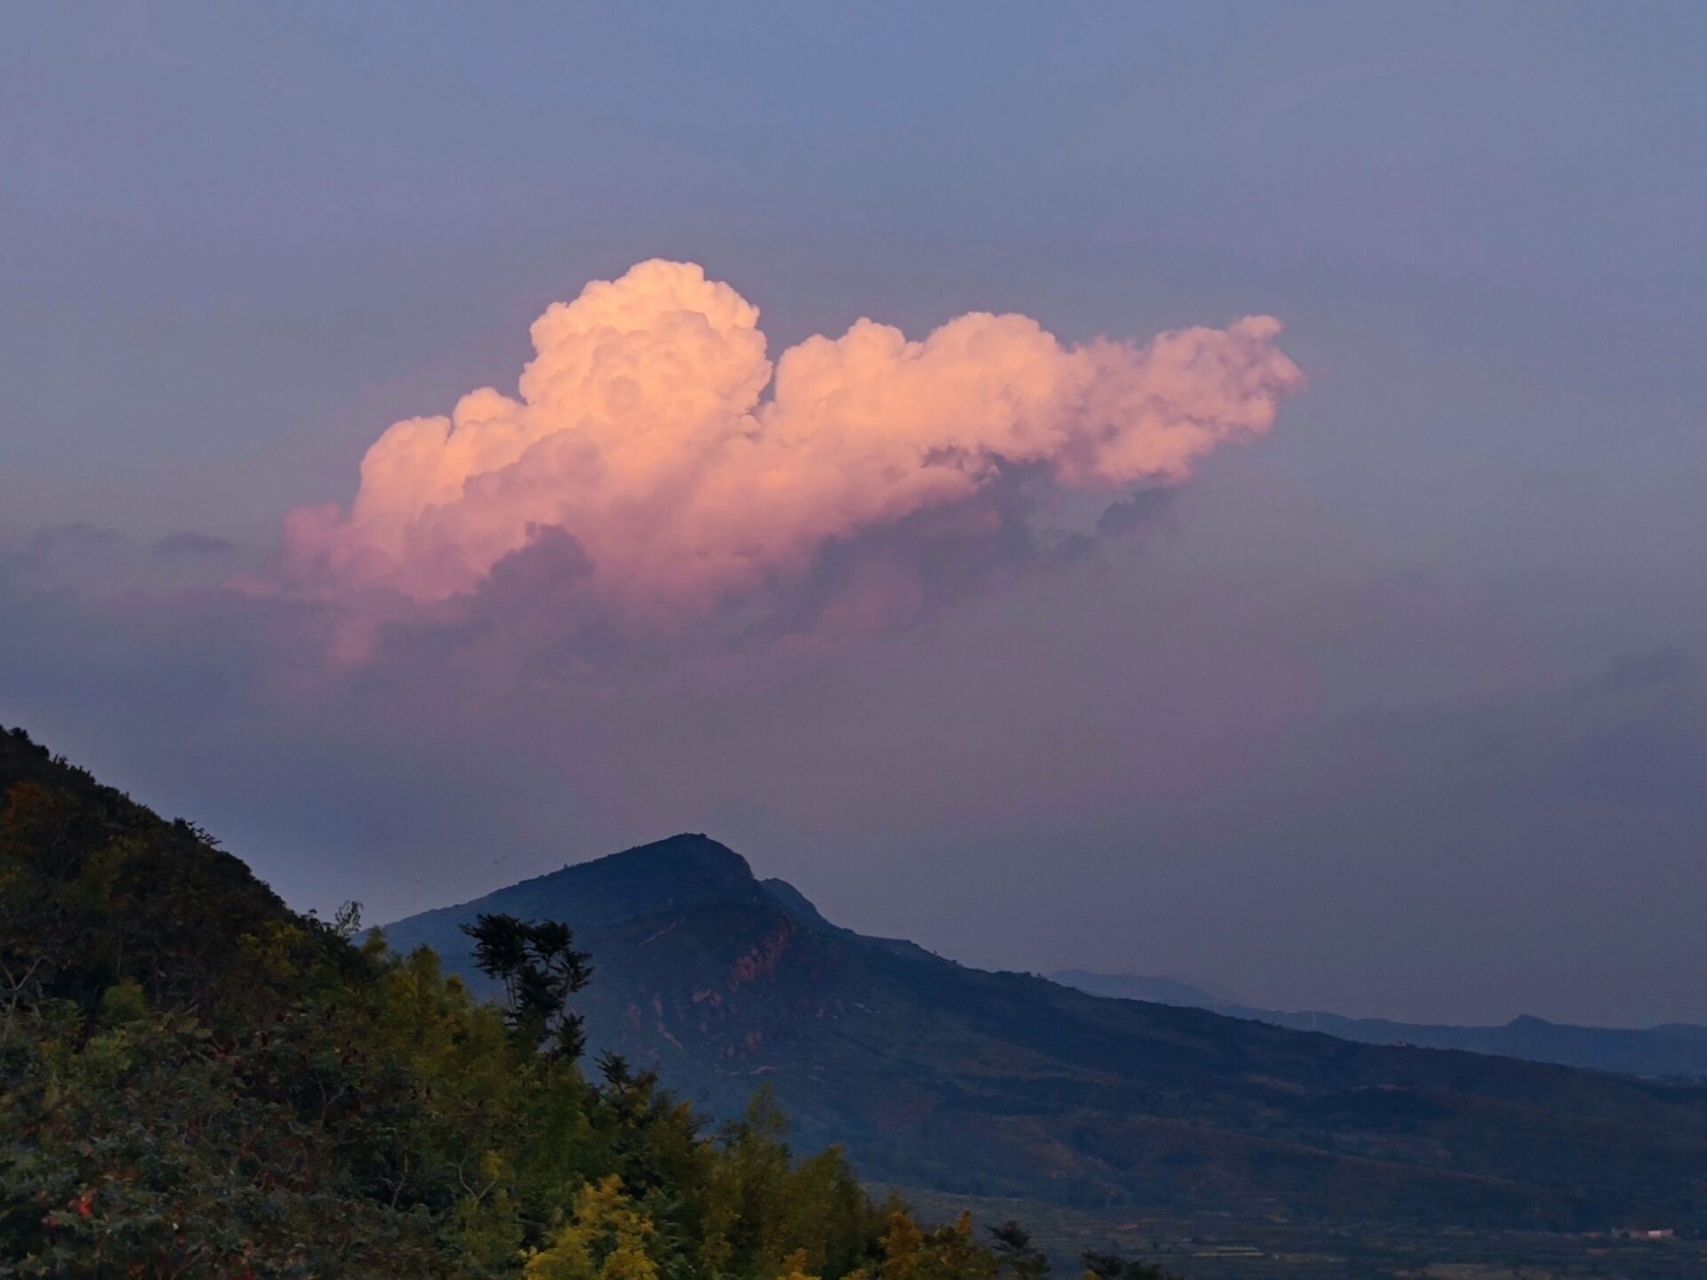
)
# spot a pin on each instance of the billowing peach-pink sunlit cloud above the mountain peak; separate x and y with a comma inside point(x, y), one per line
point(643, 438)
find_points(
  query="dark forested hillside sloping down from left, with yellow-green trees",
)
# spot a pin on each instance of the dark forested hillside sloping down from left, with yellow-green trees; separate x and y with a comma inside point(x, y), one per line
point(197, 1081)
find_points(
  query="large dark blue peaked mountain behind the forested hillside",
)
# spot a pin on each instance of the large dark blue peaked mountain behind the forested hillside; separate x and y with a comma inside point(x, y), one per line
point(948, 1078)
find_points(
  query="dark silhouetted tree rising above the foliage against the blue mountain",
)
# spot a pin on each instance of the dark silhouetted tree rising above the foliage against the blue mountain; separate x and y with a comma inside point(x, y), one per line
point(540, 970)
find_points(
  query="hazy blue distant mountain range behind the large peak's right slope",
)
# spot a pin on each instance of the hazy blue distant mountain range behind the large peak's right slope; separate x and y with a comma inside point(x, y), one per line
point(1677, 1050)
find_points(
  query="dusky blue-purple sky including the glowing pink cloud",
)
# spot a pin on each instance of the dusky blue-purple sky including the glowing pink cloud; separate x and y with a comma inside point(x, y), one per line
point(1209, 491)
